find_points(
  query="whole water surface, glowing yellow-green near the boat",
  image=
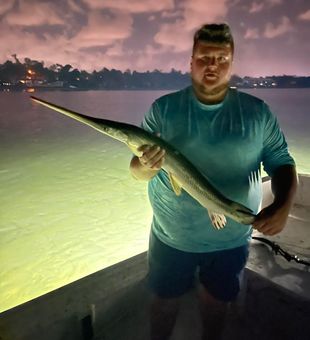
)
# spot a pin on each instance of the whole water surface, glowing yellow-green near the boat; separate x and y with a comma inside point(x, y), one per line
point(69, 206)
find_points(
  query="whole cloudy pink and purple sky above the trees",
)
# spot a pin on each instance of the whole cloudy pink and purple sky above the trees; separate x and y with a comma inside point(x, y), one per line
point(271, 36)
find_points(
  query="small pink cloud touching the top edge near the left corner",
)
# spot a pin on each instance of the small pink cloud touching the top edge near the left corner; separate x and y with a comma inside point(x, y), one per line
point(34, 13)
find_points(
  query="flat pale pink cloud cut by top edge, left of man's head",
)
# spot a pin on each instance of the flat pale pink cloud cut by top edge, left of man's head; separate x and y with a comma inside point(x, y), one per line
point(133, 6)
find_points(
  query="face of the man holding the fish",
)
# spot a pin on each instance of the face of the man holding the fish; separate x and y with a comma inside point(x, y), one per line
point(211, 66)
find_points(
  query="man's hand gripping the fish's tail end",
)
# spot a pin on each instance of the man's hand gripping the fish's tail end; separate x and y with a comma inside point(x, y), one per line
point(271, 220)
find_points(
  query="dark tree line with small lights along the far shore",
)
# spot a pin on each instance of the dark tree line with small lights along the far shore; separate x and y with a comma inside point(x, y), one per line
point(30, 72)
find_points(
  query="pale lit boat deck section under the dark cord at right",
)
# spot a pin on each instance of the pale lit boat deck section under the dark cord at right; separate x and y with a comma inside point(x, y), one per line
point(295, 240)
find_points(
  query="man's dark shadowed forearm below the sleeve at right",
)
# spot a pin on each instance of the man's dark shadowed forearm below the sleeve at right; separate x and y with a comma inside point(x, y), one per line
point(284, 185)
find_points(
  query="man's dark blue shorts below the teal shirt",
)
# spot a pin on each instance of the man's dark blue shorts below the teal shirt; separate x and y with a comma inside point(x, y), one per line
point(172, 272)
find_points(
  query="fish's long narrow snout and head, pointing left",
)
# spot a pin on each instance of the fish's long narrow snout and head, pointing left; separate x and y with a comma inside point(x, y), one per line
point(102, 125)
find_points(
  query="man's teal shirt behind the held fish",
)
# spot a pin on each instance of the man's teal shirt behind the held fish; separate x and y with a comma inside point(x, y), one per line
point(227, 143)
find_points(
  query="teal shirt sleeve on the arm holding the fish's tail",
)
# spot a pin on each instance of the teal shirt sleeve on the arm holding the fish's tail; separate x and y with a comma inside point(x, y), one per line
point(275, 149)
